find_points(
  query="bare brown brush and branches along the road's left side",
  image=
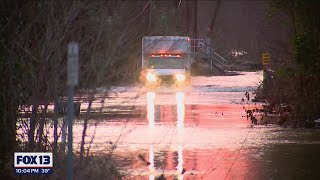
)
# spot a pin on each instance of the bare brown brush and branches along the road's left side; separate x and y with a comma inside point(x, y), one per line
point(33, 66)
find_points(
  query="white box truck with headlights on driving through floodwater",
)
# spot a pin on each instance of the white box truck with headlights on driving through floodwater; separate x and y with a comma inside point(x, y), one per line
point(166, 60)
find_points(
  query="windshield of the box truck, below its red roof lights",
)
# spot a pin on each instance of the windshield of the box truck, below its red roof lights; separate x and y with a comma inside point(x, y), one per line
point(166, 63)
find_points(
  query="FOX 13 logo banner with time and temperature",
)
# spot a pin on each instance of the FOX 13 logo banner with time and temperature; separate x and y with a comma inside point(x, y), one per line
point(33, 163)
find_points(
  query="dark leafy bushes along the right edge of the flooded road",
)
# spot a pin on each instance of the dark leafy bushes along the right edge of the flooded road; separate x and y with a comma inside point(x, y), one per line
point(291, 87)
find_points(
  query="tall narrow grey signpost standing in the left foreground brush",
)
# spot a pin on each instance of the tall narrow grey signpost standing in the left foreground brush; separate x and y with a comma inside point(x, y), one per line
point(73, 79)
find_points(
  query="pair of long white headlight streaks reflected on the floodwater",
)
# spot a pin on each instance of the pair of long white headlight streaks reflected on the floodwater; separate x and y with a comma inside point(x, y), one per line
point(180, 116)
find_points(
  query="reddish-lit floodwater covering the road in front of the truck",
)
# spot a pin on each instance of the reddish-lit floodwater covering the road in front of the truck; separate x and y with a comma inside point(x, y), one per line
point(199, 133)
